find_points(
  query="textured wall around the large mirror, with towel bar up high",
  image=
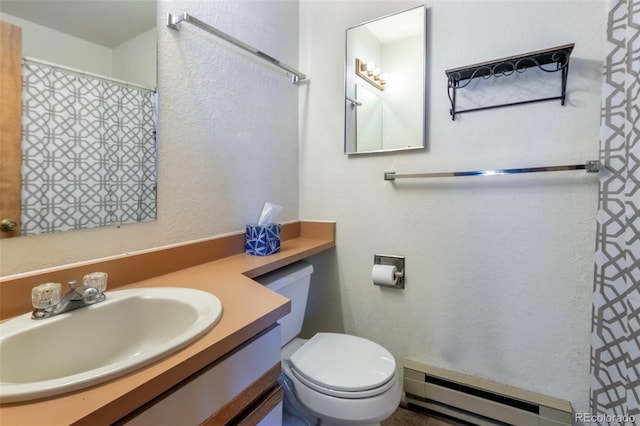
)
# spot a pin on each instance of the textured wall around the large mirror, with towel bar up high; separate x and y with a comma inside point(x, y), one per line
point(227, 139)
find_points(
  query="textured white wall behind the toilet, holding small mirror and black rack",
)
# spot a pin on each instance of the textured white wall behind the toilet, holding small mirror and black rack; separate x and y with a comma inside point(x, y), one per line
point(499, 269)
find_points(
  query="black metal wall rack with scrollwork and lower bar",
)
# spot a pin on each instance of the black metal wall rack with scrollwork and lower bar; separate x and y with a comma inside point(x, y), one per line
point(461, 77)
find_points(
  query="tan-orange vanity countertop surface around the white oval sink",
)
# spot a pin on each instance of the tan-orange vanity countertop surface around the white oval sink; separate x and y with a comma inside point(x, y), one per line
point(248, 308)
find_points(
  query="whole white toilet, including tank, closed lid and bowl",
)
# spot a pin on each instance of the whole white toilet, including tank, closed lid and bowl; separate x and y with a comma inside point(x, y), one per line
point(332, 378)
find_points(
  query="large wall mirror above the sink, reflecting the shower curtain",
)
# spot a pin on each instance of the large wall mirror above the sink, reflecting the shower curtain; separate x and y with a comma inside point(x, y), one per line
point(87, 137)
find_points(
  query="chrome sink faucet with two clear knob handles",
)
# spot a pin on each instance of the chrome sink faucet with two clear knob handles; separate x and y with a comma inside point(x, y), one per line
point(47, 301)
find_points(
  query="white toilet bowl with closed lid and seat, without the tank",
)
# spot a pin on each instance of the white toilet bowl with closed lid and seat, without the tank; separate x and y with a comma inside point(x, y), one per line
point(338, 379)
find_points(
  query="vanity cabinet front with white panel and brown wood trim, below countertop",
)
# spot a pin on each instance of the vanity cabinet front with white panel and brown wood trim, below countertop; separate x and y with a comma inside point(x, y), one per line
point(239, 389)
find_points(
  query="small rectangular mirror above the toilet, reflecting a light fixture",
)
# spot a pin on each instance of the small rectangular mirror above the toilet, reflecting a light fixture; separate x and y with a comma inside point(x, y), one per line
point(385, 83)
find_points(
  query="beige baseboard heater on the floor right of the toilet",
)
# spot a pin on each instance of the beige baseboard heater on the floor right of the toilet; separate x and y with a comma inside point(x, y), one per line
point(478, 401)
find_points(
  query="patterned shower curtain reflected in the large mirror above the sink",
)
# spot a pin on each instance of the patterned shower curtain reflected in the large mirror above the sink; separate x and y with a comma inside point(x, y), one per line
point(88, 151)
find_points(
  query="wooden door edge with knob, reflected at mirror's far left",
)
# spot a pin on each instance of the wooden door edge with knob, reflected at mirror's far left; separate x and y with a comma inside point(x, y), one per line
point(10, 125)
